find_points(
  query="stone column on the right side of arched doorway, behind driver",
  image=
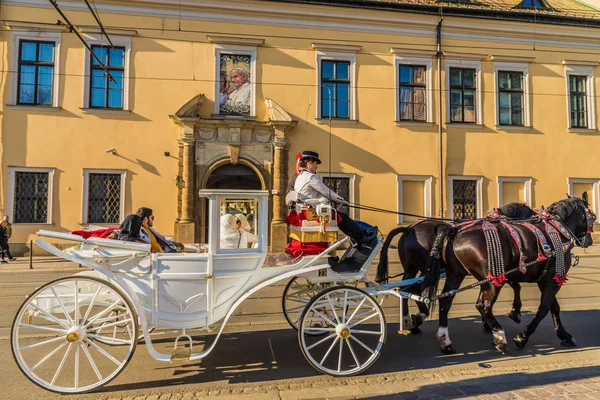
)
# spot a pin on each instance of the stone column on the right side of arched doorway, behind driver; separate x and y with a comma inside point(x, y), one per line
point(280, 179)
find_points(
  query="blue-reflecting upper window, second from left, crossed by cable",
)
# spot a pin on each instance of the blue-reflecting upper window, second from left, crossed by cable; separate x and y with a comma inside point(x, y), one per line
point(104, 93)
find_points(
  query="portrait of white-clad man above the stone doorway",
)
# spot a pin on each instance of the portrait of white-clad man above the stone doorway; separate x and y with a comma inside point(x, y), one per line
point(235, 91)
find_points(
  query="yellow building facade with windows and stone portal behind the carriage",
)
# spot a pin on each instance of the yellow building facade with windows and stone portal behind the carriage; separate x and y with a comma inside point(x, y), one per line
point(222, 94)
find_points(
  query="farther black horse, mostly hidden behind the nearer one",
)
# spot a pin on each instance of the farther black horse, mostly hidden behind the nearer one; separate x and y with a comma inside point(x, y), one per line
point(414, 248)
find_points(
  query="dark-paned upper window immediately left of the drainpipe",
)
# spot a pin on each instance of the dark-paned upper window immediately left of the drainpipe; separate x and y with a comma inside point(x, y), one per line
point(412, 93)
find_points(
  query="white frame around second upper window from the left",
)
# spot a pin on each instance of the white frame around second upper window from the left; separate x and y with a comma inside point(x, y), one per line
point(99, 40)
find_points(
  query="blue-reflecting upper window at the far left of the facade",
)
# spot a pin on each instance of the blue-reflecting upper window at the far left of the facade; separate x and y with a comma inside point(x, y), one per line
point(36, 72)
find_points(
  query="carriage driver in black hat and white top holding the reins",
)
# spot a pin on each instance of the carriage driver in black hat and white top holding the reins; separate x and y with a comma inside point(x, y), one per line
point(309, 186)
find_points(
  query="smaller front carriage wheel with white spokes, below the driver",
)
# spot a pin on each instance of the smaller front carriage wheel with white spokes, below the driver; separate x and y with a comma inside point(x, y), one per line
point(354, 330)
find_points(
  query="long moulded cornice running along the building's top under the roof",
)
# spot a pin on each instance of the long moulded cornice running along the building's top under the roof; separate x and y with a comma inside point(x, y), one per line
point(415, 21)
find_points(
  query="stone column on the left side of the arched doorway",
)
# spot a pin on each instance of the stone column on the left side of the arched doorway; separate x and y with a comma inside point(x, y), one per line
point(186, 228)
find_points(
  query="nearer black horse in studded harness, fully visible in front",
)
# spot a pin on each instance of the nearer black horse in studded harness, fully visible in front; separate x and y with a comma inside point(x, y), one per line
point(465, 252)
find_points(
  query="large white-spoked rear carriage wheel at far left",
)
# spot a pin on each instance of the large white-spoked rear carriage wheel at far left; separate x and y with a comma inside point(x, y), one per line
point(58, 335)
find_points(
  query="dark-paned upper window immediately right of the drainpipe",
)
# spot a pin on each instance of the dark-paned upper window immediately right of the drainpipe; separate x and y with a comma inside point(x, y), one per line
point(462, 95)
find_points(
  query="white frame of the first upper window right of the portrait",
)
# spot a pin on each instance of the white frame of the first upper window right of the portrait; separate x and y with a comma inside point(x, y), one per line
point(323, 55)
